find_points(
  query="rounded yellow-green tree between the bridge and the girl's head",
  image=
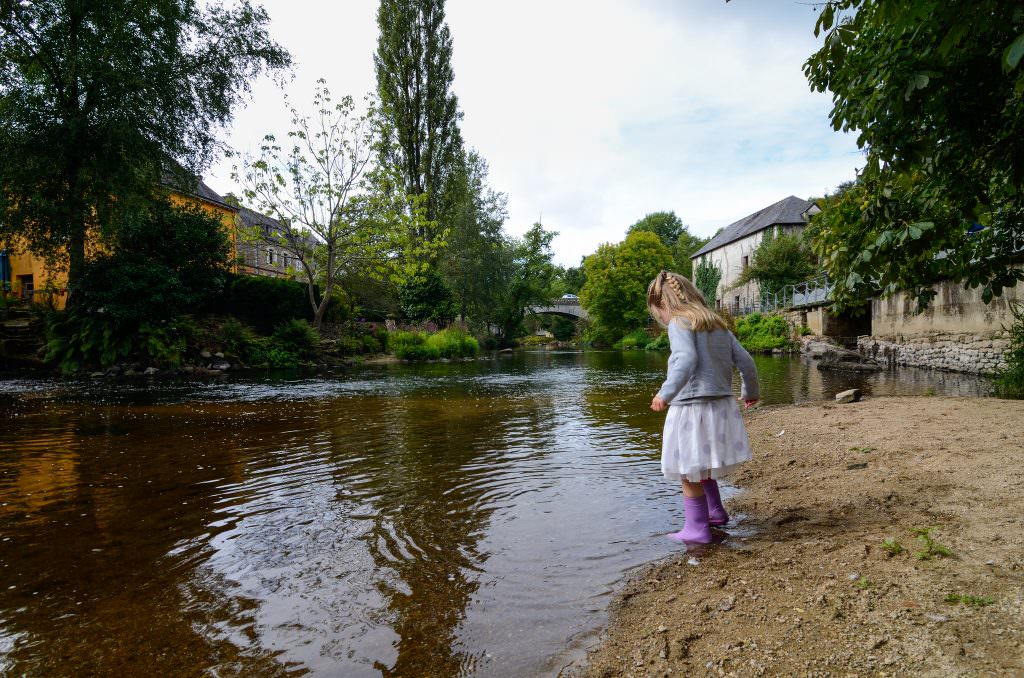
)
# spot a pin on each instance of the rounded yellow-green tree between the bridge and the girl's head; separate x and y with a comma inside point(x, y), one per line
point(616, 291)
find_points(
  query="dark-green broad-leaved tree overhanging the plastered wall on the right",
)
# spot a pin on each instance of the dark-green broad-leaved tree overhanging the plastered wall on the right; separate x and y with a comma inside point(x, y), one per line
point(933, 90)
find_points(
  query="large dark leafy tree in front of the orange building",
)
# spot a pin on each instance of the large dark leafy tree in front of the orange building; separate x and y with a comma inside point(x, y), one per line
point(97, 101)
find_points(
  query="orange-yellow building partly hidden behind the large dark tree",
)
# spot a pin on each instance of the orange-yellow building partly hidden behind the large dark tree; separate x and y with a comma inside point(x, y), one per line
point(26, 277)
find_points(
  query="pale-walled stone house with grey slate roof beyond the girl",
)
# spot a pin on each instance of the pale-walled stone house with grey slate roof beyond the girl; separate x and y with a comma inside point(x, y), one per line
point(733, 249)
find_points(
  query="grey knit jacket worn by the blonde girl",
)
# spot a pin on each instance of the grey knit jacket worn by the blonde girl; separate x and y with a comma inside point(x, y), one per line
point(701, 366)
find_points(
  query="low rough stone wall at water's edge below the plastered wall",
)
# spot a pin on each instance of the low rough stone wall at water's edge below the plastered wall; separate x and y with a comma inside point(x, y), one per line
point(975, 354)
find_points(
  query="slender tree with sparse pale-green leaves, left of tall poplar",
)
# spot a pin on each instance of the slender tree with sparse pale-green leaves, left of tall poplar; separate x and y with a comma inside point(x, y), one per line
point(324, 189)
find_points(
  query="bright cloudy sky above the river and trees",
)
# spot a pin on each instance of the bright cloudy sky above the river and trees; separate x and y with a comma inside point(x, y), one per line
point(594, 113)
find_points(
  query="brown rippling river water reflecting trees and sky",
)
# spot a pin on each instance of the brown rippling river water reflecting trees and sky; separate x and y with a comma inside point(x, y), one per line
point(462, 519)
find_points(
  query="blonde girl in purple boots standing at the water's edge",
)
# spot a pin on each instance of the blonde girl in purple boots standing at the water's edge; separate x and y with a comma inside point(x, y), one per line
point(705, 437)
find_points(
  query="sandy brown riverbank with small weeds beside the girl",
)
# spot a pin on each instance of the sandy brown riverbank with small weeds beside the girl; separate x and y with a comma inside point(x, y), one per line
point(802, 586)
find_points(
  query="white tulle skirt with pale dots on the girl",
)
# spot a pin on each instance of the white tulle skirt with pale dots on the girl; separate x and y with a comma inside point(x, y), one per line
point(704, 440)
